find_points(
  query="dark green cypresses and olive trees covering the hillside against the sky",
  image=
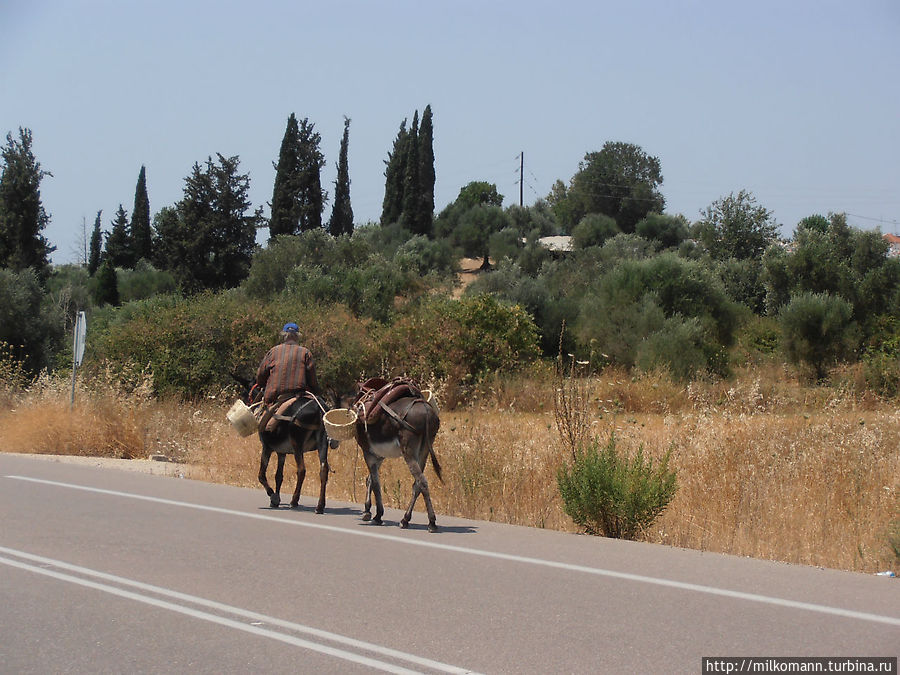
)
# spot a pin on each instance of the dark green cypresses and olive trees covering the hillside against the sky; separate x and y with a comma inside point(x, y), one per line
point(639, 287)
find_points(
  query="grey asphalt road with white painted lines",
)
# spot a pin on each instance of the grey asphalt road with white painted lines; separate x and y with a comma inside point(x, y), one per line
point(107, 571)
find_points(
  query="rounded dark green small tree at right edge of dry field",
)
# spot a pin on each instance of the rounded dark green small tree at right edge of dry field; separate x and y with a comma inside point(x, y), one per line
point(817, 331)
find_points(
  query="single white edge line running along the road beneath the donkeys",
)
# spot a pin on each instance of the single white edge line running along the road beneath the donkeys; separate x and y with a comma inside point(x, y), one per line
point(657, 581)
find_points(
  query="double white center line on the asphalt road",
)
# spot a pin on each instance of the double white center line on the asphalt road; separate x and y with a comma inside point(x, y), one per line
point(255, 619)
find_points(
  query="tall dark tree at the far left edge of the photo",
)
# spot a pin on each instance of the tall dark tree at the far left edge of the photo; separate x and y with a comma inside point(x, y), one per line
point(22, 215)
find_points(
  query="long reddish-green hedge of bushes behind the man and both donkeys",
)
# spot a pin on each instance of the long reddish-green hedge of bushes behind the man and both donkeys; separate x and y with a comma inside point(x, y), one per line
point(192, 346)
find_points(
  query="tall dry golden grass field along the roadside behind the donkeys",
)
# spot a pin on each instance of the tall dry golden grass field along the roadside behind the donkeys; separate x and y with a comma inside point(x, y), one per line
point(766, 467)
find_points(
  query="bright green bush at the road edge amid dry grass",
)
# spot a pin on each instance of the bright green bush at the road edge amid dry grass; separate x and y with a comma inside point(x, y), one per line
point(611, 495)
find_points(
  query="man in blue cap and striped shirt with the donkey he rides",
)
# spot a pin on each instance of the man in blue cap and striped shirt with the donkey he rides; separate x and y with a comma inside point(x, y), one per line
point(291, 422)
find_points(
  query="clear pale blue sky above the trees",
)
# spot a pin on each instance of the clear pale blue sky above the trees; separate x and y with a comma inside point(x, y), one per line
point(795, 101)
